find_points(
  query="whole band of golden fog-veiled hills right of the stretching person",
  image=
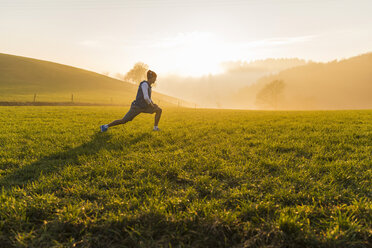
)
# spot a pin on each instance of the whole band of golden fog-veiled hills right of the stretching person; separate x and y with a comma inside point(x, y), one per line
point(343, 84)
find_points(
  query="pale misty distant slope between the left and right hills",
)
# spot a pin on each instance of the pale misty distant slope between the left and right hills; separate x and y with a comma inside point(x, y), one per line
point(216, 90)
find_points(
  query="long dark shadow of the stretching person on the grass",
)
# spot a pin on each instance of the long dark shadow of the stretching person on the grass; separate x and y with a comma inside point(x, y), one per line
point(55, 162)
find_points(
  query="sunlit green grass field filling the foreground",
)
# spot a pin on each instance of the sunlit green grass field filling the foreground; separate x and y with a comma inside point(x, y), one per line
point(210, 178)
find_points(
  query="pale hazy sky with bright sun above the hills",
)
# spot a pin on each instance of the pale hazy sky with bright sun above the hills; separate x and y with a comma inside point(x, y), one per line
point(187, 37)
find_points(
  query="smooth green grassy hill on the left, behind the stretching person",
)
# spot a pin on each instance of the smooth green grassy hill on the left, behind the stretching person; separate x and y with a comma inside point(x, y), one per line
point(21, 78)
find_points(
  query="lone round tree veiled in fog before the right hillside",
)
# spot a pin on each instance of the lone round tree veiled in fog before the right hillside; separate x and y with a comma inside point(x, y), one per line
point(271, 94)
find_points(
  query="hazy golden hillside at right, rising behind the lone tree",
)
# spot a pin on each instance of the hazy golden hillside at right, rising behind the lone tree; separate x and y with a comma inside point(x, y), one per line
point(345, 84)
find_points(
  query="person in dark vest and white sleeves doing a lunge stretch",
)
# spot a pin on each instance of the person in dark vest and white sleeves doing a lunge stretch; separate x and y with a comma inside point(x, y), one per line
point(142, 104)
